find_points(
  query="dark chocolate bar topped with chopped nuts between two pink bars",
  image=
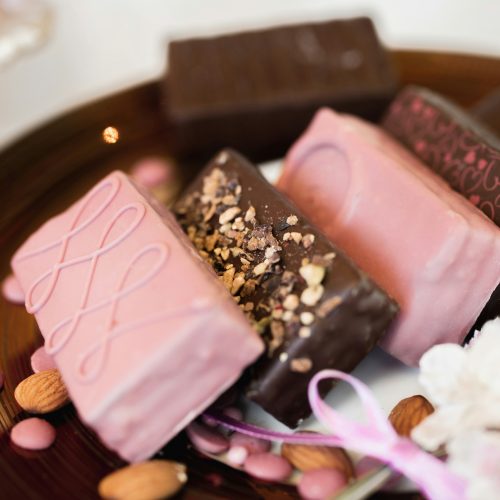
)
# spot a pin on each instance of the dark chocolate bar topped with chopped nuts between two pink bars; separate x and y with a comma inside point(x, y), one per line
point(313, 306)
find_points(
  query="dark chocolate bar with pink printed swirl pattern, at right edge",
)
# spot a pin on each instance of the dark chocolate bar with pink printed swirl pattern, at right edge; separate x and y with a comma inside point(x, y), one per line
point(451, 142)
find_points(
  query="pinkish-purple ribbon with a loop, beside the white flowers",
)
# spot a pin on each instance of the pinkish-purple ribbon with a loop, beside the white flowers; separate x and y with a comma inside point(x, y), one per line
point(376, 439)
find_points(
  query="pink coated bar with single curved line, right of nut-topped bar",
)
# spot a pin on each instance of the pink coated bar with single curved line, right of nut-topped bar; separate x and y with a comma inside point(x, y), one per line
point(437, 254)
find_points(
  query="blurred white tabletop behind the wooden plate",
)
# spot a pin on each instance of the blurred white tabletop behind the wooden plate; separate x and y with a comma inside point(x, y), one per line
point(100, 46)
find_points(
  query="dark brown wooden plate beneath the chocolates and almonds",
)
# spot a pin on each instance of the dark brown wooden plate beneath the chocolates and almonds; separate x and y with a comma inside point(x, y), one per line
point(56, 163)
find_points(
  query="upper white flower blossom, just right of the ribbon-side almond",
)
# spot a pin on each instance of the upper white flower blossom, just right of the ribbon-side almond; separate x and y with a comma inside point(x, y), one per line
point(464, 386)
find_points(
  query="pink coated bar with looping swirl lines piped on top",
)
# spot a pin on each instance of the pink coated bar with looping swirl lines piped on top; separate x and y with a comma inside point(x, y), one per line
point(143, 333)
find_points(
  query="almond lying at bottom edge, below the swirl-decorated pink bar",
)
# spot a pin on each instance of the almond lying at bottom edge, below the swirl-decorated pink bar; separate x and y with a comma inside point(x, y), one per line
point(144, 481)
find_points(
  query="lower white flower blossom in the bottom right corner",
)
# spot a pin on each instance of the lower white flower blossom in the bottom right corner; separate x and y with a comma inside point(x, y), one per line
point(475, 455)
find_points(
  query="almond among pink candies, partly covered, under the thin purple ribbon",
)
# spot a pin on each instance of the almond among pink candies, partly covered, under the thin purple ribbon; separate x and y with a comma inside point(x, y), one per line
point(306, 458)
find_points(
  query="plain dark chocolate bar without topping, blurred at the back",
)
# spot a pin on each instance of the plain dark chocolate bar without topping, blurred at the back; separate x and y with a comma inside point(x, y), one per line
point(256, 91)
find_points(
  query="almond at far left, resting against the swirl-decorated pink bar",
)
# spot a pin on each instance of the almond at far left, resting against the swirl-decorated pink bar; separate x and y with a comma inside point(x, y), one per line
point(42, 392)
